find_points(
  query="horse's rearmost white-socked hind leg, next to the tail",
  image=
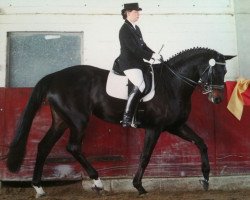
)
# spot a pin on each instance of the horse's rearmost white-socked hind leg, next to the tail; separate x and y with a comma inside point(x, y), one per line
point(44, 147)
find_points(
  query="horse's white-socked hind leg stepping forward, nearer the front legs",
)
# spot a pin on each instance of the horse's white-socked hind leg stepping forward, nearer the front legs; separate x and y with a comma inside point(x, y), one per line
point(74, 147)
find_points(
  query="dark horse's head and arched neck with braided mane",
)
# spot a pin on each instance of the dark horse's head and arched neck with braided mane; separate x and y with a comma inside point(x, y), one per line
point(200, 66)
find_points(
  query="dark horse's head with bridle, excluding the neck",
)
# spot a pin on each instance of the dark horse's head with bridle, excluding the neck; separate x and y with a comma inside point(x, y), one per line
point(212, 77)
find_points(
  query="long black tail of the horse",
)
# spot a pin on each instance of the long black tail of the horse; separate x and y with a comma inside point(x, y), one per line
point(17, 148)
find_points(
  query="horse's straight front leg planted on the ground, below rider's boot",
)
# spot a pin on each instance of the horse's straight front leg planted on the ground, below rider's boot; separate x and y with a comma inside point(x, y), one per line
point(150, 141)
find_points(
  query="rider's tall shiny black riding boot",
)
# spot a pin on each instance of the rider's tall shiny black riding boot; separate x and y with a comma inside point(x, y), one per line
point(133, 100)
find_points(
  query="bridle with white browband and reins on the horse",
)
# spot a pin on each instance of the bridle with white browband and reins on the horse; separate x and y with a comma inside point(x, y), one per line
point(207, 86)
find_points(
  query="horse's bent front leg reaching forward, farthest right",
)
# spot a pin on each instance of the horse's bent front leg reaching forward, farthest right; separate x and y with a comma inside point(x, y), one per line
point(186, 133)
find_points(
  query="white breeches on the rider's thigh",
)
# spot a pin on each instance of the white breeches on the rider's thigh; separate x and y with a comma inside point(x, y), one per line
point(136, 77)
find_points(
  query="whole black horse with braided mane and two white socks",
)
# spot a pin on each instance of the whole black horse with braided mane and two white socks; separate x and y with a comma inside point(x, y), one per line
point(77, 92)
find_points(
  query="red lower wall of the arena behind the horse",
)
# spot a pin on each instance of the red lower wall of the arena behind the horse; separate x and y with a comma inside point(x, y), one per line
point(114, 151)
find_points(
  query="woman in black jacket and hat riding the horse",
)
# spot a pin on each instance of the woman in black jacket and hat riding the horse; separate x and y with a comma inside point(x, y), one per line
point(133, 51)
